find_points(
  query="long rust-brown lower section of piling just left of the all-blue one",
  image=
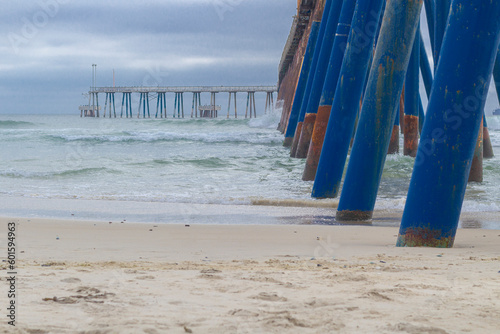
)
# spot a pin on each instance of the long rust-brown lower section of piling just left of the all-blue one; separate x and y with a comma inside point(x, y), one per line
point(317, 140)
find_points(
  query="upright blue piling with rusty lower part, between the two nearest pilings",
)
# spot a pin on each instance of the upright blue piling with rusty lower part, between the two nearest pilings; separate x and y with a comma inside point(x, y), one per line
point(412, 97)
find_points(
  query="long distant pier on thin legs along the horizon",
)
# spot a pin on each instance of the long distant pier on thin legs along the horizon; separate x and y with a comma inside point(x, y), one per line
point(159, 94)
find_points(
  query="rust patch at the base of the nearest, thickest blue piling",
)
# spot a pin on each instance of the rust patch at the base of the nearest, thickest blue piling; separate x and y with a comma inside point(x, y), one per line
point(424, 237)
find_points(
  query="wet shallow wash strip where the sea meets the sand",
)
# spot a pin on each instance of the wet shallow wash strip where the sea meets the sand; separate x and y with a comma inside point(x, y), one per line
point(259, 212)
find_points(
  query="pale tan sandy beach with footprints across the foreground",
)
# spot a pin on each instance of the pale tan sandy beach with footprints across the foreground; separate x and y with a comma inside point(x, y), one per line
point(97, 277)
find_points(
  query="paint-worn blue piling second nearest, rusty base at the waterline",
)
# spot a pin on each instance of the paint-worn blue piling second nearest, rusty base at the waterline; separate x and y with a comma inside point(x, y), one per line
point(379, 109)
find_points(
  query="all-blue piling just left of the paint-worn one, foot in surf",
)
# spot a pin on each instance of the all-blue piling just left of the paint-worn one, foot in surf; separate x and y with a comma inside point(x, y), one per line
point(342, 113)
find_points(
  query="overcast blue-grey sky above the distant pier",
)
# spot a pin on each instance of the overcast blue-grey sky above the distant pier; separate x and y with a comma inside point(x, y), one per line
point(48, 46)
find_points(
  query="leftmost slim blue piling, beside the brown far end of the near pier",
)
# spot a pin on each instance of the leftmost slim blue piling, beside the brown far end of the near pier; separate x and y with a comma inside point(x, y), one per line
point(317, 29)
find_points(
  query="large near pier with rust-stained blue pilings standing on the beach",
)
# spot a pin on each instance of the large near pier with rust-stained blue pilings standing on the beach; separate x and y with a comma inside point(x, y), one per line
point(350, 80)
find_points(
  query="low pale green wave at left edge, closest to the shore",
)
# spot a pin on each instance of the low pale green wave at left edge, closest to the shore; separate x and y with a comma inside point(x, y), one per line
point(70, 173)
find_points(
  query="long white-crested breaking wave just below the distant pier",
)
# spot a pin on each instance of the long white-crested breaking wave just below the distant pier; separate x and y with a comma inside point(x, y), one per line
point(142, 137)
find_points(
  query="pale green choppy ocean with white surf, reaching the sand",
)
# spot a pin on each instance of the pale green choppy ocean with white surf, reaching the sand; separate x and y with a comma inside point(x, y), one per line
point(229, 171)
